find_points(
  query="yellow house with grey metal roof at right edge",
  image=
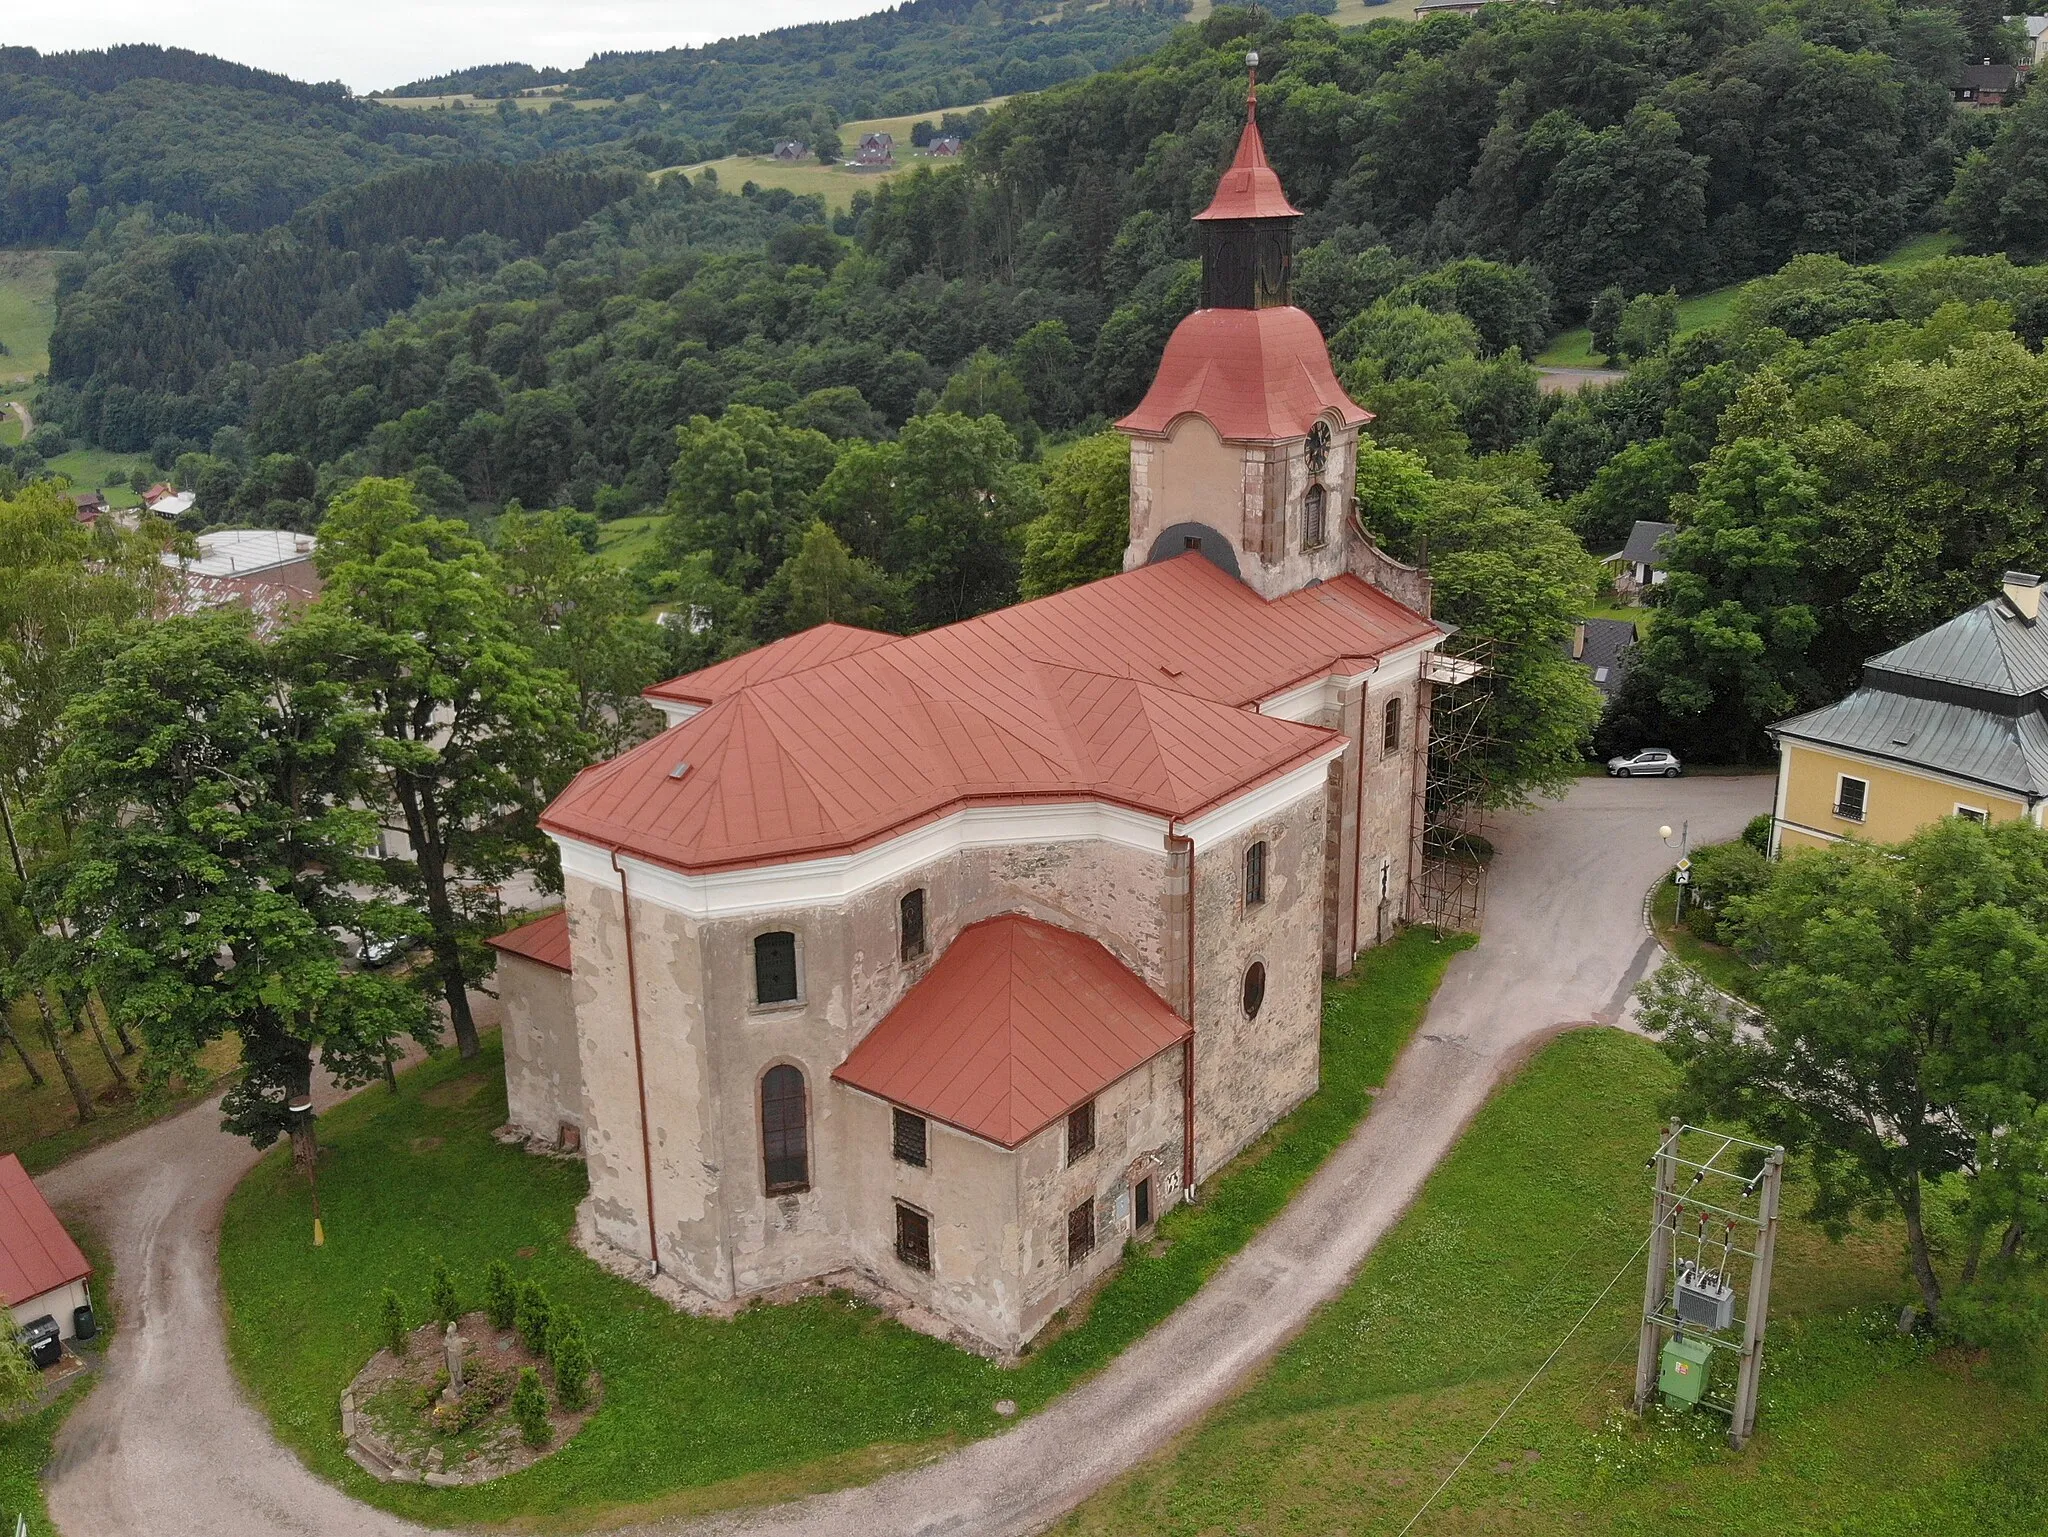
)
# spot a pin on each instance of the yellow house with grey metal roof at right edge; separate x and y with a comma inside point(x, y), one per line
point(1951, 724)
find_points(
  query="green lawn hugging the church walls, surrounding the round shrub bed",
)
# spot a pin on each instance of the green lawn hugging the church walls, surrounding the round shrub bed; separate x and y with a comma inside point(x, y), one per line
point(699, 1415)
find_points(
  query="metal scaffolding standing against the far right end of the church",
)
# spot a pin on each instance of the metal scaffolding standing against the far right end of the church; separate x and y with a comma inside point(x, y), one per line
point(1449, 821)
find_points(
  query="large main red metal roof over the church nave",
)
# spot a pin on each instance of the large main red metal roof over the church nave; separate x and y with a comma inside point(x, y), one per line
point(1129, 692)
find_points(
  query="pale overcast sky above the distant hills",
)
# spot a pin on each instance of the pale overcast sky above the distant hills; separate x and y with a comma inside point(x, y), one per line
point(382, 44)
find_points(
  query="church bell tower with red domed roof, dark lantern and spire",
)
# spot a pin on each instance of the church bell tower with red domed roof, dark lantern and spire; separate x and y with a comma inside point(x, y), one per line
point(1246, 446)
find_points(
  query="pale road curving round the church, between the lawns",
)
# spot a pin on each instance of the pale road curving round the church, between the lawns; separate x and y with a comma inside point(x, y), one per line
point(169, 1440)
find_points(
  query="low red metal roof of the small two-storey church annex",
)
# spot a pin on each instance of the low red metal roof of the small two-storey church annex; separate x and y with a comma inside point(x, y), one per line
point(1013, 1028)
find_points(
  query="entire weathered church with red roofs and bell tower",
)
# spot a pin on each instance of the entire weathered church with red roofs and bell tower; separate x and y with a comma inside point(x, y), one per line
point(953, 960)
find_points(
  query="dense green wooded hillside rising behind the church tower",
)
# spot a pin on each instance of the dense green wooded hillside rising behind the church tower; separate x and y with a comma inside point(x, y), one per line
point(845, 417)
